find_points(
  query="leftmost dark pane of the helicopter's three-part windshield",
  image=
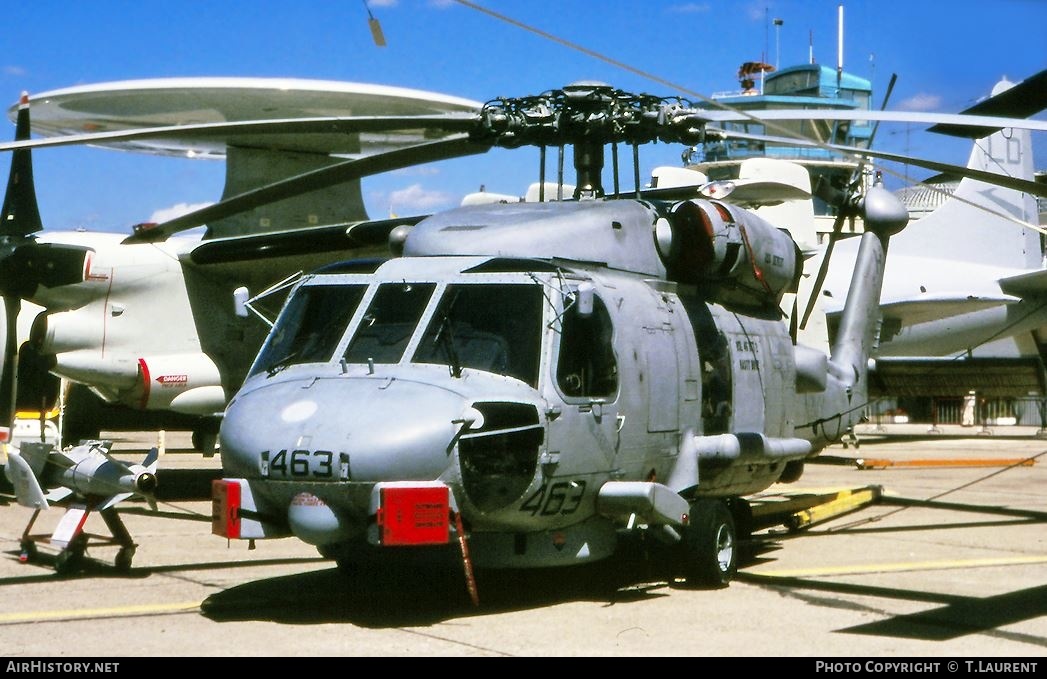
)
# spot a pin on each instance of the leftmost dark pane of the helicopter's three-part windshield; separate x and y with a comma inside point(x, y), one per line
point(310, 327)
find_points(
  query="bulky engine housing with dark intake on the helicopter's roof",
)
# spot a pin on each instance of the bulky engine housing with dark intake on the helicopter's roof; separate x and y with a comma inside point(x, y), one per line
point(736, 256)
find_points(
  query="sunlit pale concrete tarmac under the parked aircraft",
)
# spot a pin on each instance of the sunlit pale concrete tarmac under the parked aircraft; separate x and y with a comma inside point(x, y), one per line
point(950, 563)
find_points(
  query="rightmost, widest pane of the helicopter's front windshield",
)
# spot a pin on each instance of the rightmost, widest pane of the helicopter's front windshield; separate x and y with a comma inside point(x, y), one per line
point(496, 328)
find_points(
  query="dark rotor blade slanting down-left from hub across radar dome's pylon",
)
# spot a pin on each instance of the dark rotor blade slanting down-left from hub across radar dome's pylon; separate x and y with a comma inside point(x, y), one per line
point(452, 148)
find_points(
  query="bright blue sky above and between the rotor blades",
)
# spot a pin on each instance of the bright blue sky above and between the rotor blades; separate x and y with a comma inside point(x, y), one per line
point(948, 55)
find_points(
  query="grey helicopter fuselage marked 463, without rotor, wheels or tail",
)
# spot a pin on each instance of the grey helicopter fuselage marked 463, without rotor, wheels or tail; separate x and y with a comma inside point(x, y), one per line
point(547, 403)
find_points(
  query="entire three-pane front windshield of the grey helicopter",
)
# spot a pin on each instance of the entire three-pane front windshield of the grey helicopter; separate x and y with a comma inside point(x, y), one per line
point(492, 327)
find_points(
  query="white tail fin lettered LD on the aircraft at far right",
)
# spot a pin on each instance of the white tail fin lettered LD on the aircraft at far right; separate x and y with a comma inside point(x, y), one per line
point(981, 222)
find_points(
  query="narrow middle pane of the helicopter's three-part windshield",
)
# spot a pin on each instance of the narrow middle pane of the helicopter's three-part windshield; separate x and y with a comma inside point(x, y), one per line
point(390, 322)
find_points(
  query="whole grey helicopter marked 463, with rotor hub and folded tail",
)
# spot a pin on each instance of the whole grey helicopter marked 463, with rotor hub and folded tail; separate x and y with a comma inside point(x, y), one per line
point(533, 380)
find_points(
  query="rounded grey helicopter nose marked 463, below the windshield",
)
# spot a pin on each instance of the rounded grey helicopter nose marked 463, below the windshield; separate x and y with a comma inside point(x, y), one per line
point(343, 429)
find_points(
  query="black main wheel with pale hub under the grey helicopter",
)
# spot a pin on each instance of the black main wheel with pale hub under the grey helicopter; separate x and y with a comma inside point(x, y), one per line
point(710, 546)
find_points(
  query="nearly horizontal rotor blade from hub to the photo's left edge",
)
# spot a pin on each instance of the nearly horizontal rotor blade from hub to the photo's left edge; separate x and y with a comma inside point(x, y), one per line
point(341, 125)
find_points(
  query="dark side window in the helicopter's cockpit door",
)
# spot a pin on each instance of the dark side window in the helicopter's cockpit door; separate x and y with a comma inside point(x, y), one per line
point(587, 366)
